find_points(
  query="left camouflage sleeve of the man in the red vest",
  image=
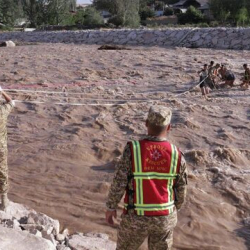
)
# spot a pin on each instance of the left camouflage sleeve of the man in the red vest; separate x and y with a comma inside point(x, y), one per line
point(120, 179)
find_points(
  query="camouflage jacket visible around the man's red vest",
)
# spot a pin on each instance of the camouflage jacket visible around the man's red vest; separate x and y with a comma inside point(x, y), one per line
point(124, 169)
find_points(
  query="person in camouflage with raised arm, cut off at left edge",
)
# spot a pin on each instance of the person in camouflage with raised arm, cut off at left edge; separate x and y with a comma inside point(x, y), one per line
point(5, 109)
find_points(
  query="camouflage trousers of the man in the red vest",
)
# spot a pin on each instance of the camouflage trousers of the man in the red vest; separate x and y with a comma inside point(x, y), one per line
point(134, 229)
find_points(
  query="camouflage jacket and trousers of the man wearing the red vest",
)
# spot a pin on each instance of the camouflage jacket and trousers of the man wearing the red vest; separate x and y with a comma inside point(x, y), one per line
point(134, 229)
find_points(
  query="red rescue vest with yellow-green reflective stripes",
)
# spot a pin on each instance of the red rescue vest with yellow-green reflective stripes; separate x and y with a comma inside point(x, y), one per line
point(155, 167)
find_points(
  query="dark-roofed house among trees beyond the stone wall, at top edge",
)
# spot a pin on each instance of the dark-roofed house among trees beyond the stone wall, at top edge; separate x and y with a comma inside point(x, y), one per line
point(183, 5)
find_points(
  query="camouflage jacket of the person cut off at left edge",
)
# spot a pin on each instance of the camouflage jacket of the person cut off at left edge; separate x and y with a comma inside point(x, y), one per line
point(5, 110)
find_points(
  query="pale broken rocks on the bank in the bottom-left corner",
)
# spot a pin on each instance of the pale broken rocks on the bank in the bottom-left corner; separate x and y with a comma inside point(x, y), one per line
point(24, 229)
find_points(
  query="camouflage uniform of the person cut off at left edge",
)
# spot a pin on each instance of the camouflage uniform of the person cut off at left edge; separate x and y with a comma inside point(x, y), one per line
point(5, 109)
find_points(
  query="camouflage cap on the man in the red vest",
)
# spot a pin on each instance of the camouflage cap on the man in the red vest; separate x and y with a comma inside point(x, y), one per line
point(159, 115)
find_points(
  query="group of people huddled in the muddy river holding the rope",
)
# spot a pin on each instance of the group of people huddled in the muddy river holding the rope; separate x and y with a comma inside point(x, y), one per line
point(211, 75)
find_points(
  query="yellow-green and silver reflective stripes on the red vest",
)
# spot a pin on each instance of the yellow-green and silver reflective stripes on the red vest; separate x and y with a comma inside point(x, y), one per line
point(139, 176)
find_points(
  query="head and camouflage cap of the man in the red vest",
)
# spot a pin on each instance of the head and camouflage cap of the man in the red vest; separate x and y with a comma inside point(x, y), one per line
point(158, 120)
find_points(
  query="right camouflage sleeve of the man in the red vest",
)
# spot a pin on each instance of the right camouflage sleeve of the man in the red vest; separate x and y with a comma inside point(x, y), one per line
point(181, 184)
